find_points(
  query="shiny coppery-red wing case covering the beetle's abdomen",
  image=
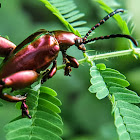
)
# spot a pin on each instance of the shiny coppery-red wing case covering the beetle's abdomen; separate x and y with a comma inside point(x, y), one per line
point(35, 56)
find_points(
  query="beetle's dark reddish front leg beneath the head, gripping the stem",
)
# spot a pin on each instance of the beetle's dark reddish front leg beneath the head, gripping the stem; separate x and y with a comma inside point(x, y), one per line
point(70, 62)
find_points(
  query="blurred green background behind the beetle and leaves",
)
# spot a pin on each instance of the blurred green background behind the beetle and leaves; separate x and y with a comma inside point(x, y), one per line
point(85, 117)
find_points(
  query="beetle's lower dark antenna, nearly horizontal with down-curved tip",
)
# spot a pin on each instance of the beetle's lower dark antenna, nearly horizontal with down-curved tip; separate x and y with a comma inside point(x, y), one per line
point(112, 36)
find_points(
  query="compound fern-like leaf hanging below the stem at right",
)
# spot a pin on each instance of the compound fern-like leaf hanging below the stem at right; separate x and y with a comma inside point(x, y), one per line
point(126, 114)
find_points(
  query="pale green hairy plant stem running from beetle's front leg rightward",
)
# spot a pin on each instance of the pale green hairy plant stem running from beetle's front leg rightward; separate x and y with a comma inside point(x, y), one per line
point(88, 59)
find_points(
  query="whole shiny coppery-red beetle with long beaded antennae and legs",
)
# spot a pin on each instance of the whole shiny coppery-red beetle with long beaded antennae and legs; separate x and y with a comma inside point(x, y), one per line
point(23, 63)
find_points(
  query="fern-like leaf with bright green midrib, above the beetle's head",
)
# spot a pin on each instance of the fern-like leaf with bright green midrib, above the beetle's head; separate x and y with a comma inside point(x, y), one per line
point(66, 11)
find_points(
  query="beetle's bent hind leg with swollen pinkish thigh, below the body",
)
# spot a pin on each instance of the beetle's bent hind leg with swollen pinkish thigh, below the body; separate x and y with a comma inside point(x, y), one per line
point(18, 80)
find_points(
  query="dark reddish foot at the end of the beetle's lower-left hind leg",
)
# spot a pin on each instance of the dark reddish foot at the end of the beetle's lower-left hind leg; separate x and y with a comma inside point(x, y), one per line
point(24, 108)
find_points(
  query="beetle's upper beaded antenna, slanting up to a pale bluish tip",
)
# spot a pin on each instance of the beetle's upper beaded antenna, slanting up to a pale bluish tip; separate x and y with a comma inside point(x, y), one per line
point(102, 21)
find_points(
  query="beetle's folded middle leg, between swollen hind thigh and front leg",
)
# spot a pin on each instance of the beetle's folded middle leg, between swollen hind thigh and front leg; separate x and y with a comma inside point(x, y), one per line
point(49, 73)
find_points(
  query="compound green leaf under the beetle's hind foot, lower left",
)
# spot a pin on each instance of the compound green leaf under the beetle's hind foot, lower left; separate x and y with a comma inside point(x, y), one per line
point(45, 122)
